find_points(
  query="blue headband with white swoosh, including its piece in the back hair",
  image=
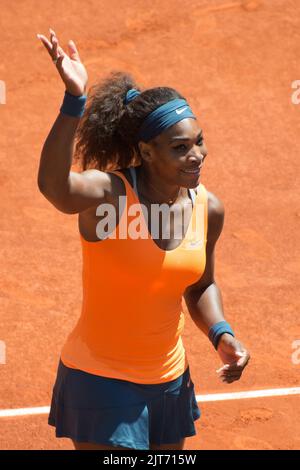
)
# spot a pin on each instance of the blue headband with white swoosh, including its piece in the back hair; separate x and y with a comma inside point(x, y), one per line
point(162, 117)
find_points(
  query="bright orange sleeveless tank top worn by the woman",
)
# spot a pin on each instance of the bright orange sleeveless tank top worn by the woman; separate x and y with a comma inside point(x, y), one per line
point(132, 310)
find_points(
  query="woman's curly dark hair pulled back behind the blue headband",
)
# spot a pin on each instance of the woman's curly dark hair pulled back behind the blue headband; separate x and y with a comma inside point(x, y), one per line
point(106, 135)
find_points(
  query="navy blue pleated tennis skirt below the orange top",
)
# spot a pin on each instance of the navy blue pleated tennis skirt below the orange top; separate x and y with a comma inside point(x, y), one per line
point(100, 410)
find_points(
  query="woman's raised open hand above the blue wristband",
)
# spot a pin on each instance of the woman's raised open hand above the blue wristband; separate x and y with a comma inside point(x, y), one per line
point(69, 67)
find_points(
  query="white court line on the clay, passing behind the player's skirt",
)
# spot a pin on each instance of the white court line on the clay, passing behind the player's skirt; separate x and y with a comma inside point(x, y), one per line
point(275, 392)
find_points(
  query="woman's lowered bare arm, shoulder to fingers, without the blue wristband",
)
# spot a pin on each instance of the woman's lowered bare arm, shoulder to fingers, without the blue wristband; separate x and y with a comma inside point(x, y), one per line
point(204, 300)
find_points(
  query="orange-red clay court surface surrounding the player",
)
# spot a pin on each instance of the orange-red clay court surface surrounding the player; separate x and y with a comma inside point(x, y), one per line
point(236, 66)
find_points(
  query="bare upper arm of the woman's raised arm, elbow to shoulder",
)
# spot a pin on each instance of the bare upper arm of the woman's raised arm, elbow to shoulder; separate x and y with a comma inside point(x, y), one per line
point(84, 190)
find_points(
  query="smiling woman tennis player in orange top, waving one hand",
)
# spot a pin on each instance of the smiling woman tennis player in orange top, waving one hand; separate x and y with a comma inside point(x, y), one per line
point(123, 379)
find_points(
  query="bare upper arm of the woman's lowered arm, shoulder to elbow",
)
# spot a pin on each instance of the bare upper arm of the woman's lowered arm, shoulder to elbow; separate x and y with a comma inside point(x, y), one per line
point(216, 212)
